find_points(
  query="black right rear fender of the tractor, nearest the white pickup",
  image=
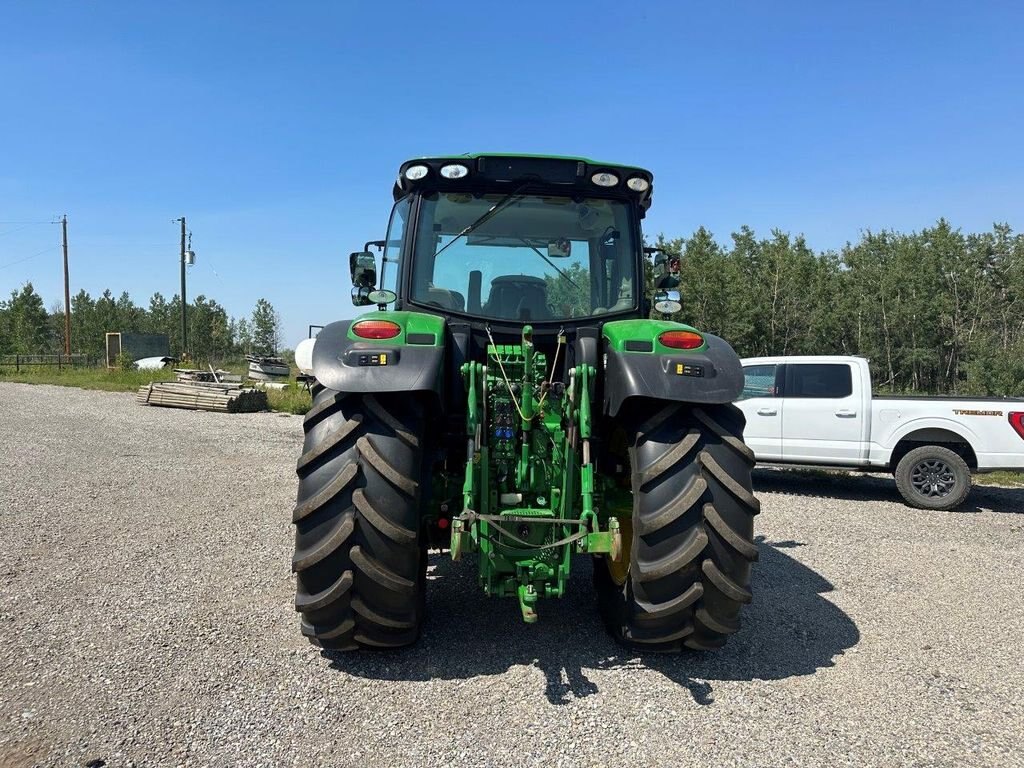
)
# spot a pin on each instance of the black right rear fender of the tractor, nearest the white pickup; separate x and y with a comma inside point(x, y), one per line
point(712, 376)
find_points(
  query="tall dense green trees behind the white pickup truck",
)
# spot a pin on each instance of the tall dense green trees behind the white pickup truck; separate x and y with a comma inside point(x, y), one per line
point(935, 312)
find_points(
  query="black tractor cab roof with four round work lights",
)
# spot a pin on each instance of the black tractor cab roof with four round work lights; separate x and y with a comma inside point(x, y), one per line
point(505, 170)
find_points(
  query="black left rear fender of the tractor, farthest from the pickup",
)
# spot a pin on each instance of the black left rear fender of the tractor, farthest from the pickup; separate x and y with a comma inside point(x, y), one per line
point(348, 365)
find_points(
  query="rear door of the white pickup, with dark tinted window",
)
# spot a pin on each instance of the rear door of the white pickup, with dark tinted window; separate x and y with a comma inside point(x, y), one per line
point(823, 415)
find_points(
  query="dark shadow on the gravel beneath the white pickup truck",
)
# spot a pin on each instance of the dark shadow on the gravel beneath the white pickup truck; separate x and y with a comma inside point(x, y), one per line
point(861, 488)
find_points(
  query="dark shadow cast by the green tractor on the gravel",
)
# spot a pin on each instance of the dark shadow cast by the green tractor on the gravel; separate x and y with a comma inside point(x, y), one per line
point(789, 631)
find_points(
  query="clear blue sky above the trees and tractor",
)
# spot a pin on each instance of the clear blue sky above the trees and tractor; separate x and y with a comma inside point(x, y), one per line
point(278, 129)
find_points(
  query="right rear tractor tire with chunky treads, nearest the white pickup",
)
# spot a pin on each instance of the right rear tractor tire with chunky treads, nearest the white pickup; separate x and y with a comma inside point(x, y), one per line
point(687, 575)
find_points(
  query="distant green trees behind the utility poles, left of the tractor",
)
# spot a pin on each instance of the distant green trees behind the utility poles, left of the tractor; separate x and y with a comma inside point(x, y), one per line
point(27, 327)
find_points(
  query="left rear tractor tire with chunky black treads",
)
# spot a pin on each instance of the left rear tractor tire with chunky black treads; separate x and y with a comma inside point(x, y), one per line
point(360, 560)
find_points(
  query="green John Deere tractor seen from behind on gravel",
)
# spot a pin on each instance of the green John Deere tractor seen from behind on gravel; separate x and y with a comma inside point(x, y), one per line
point(508, 400)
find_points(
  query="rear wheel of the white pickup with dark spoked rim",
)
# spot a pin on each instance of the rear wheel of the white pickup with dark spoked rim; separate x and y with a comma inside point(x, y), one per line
point(933, 478)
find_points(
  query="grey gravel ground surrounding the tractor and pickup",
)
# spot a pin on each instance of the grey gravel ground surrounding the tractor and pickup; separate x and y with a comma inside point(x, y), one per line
point(146, 619)
